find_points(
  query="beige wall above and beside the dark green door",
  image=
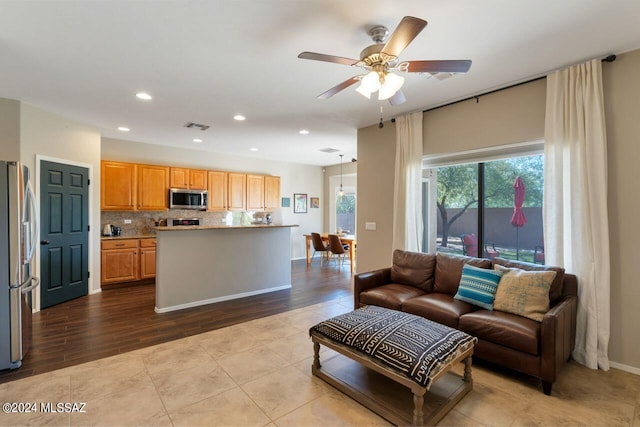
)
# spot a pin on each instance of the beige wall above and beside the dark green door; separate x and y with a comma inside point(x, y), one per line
point(57, 138)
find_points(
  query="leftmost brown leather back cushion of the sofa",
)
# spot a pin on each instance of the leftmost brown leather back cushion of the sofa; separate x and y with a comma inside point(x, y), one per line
point(413, 268)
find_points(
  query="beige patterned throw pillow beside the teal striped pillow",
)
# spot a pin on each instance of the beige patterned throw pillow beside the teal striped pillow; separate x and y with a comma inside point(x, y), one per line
point(525, 293)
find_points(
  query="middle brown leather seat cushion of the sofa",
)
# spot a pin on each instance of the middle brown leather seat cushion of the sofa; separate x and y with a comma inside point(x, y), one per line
point(441, 308)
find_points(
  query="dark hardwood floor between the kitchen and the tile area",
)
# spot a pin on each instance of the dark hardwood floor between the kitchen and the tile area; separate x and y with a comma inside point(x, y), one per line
point(116, 321)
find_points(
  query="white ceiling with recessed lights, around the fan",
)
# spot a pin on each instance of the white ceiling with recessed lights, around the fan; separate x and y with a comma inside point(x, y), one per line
point(204, 61)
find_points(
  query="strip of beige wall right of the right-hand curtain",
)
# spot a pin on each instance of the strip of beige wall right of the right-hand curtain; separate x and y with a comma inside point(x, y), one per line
point(621, 94)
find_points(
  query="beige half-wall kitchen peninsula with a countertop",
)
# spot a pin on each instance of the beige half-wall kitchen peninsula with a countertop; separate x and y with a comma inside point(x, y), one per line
point(198, 265)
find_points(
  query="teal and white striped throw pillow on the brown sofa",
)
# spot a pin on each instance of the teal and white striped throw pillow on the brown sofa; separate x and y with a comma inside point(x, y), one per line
point(478, 286)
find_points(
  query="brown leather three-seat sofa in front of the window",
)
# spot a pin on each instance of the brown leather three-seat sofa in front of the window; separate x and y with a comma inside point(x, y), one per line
point(425, 284)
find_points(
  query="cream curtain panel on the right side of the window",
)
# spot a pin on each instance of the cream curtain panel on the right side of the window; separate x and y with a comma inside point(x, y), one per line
point(575, 217)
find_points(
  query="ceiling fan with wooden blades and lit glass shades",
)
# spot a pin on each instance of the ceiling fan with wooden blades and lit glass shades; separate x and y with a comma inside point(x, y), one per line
point(381, 59)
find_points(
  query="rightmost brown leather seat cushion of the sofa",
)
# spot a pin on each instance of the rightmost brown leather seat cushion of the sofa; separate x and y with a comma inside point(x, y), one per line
point(502, 328)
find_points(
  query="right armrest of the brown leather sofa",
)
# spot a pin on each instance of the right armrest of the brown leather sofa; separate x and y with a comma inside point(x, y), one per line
point(557, 337)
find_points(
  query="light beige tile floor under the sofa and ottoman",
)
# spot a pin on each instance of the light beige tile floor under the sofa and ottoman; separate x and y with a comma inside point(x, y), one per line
point(259, 374)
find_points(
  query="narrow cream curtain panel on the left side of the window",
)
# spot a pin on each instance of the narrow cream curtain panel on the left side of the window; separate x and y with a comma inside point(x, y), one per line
point(407, 196)
